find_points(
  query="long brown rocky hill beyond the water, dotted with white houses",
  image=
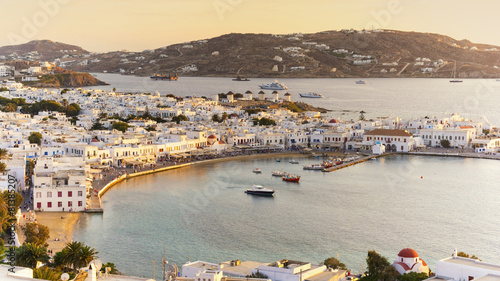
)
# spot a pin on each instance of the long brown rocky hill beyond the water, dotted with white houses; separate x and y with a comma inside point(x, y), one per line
point(346, 53)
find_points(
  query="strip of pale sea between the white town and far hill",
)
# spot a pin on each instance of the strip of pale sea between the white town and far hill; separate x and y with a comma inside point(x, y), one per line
point(403, 97)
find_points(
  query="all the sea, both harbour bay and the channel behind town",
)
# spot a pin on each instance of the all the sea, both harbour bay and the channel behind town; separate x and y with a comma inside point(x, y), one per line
point(430, 204)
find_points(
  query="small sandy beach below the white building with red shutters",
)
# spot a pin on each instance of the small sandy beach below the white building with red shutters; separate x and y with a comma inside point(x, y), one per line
point(60, 228)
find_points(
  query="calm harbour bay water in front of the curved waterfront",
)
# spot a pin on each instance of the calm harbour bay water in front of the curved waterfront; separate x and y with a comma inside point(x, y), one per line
point(431, 204)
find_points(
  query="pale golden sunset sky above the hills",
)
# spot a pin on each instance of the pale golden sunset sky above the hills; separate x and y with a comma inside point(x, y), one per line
point(136, 25)
